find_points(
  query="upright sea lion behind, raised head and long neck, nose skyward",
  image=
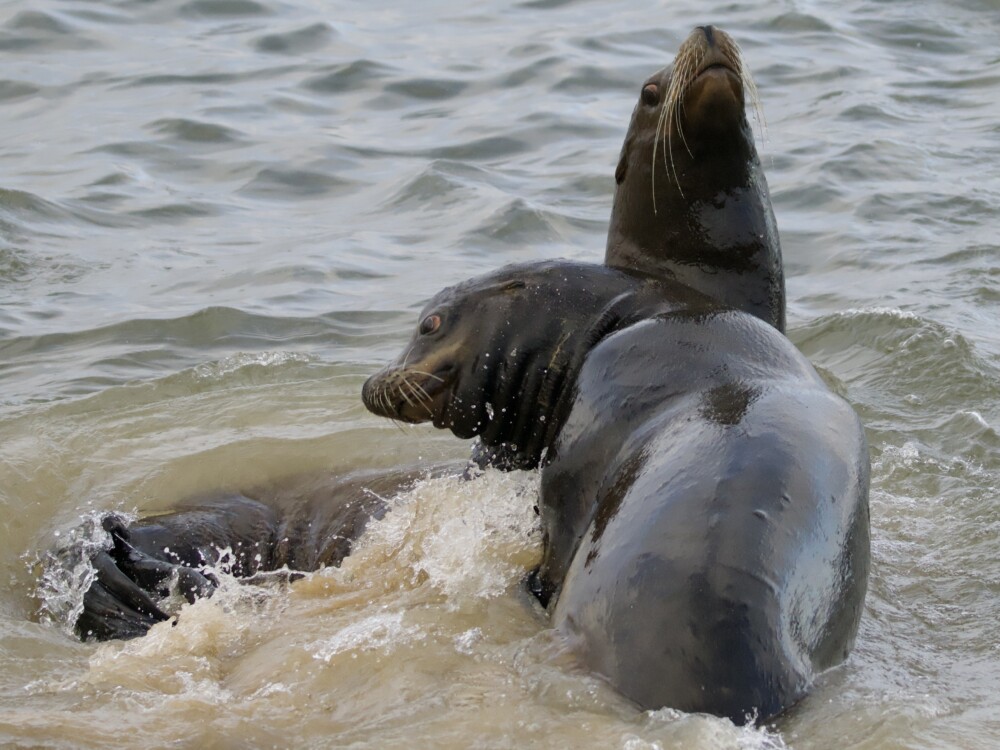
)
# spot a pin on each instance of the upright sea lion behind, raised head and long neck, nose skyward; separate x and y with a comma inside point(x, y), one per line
point(691, 201)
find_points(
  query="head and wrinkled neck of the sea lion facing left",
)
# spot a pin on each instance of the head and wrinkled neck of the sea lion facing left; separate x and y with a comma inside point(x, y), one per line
point(497, 356)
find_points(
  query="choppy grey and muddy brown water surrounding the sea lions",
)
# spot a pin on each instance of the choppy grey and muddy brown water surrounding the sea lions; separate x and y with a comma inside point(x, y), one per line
point(218, 216)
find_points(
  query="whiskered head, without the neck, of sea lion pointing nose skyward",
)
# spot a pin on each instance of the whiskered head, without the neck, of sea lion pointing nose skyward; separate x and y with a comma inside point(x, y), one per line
point(690, 117)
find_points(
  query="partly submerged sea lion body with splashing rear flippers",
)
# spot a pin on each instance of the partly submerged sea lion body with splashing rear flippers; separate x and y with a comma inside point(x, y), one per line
point(303, 524)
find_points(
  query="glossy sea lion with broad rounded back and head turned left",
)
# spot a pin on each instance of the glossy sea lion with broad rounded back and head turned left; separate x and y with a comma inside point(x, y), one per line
point(704, 496)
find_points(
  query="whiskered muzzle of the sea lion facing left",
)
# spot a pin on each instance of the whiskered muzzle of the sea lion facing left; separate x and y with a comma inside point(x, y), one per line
point(408, 394)
